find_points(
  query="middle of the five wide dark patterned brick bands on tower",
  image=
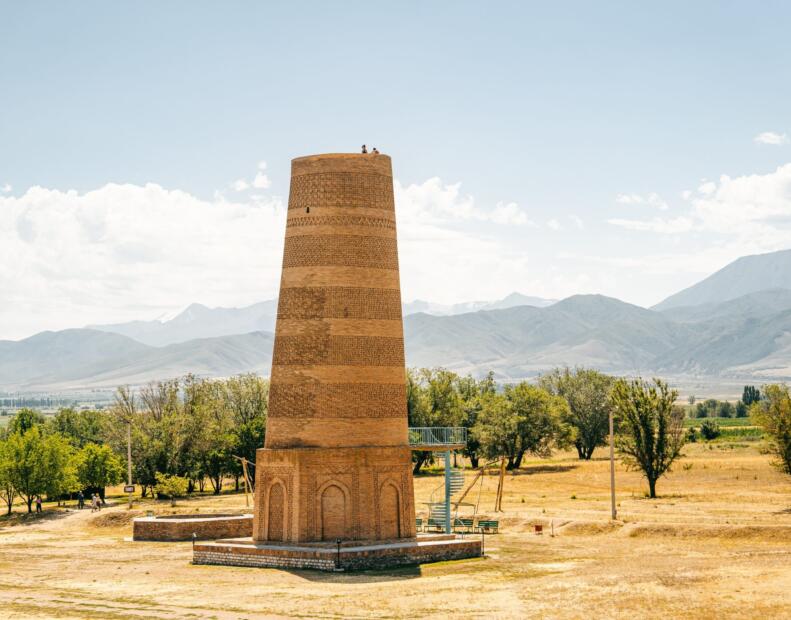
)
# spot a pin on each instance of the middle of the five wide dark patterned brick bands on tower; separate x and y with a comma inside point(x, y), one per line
point(339, 303)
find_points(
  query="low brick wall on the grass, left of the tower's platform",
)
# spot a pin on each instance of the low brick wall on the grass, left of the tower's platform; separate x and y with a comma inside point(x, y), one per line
point(181, 527)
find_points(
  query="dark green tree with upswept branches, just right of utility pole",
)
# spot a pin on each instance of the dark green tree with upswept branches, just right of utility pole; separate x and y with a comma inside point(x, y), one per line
point(652, 427)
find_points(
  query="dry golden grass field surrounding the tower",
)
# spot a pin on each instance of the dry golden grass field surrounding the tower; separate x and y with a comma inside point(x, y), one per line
point(717, 544)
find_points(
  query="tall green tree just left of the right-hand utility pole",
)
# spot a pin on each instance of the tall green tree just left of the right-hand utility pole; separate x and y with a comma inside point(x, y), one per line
point(587, 393)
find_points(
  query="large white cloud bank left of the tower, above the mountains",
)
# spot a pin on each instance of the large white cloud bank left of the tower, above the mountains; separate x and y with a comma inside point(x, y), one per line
point(124, 252)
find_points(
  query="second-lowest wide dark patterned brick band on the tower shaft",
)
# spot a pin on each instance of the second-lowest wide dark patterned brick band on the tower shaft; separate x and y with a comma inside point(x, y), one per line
point(338, 351)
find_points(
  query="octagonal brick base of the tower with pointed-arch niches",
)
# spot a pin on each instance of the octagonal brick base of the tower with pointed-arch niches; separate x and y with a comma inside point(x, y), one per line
point(326, 494)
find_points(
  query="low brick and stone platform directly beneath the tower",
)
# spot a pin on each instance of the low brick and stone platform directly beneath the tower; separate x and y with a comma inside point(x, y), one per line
point(354, 555)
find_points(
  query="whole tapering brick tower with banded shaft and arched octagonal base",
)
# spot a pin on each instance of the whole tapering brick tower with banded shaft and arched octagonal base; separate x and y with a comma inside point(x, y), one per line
point(336, 462)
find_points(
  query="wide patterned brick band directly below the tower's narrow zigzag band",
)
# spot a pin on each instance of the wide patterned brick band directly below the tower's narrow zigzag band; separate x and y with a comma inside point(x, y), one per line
point(340, 250)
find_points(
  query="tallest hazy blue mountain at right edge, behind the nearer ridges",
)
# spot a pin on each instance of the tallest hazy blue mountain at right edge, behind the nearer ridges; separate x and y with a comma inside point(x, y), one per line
point(745, 275)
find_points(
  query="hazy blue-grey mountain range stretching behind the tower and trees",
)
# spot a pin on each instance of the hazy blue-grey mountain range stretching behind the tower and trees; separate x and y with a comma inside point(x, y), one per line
point(736, 323)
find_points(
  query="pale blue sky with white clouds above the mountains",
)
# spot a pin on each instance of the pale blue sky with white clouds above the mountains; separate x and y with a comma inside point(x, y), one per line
point(553, 149)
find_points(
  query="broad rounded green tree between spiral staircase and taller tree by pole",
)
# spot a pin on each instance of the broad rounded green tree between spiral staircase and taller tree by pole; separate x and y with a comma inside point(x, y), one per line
point(523, 419)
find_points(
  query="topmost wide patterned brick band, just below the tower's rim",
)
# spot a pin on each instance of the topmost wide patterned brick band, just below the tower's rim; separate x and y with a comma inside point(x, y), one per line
point(341, 189)
